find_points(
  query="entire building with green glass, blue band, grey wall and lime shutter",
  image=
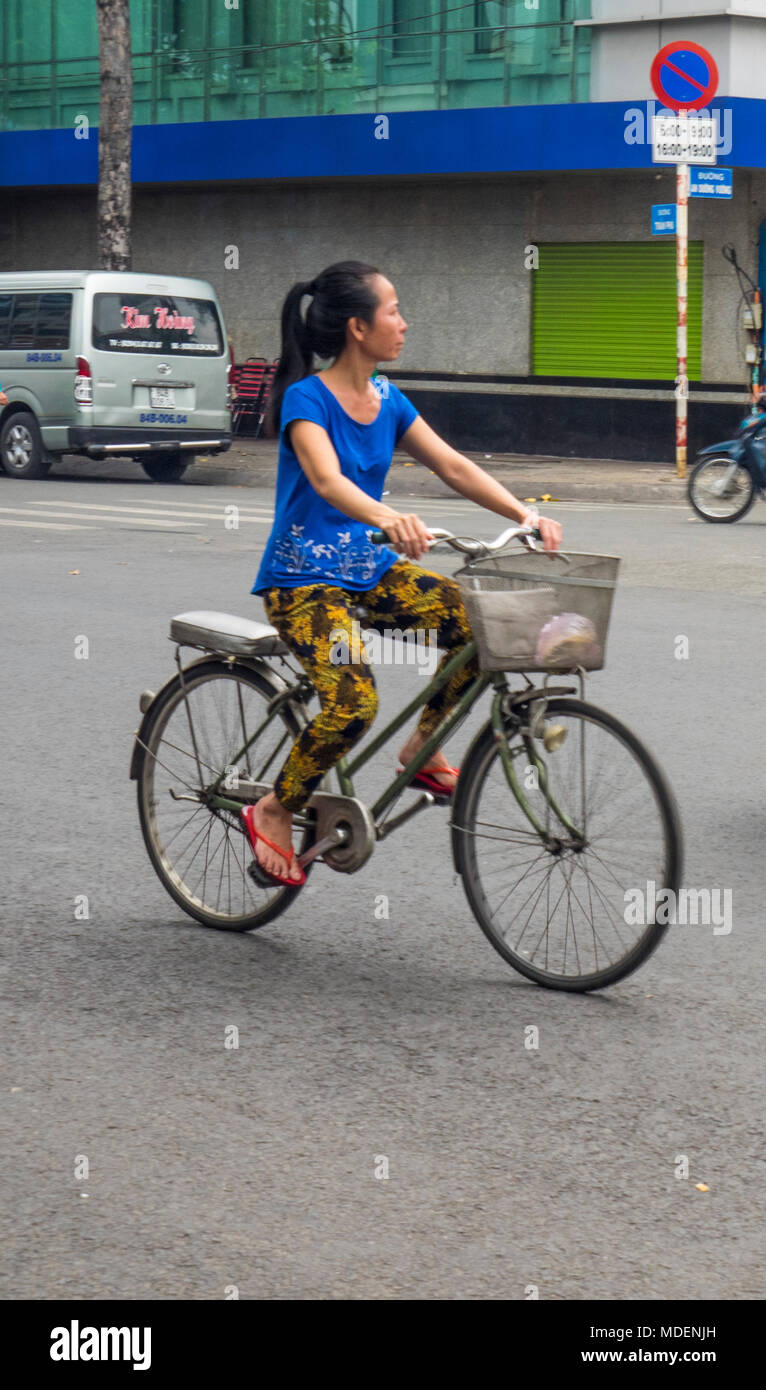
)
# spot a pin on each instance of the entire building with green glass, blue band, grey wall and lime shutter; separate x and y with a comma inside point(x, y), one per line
point(491, 158)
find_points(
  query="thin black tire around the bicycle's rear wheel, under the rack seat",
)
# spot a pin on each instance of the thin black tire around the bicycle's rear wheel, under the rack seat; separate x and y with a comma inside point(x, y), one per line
point(172, 698)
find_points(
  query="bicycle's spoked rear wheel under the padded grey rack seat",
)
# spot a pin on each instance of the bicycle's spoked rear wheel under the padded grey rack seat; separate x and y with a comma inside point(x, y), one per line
point(201, 853)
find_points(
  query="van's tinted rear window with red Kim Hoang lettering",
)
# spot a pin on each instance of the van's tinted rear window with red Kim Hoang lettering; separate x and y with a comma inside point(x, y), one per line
point(156, 323)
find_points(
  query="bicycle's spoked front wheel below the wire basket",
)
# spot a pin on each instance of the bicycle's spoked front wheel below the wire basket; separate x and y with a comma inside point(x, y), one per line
point(572, 908)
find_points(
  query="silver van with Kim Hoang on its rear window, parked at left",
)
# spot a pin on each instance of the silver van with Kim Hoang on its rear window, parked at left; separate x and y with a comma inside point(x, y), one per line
point(105, 363)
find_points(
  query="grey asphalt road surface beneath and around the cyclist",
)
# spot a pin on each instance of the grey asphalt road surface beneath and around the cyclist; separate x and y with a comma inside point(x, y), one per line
point(361, 1039)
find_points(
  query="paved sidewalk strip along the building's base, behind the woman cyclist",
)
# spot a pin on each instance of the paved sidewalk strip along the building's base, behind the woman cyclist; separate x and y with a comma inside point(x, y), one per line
point(252, 464)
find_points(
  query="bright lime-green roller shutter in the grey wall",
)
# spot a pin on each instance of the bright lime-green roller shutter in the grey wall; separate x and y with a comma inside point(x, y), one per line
point(610, 311)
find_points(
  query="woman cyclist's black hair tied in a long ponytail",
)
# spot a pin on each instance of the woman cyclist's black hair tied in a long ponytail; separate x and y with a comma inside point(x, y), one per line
point(341, 293)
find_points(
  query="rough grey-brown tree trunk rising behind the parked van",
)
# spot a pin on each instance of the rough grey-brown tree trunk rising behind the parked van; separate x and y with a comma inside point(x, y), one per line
point(116, 124)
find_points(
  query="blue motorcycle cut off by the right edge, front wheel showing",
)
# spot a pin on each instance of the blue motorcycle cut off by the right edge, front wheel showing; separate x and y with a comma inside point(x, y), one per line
point(729, 476)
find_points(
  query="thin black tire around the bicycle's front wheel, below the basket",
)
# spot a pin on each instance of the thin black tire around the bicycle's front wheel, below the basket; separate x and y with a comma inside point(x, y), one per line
point(473, 779)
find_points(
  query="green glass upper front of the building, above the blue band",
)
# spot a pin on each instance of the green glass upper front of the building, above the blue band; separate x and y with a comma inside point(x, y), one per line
point(199, 60)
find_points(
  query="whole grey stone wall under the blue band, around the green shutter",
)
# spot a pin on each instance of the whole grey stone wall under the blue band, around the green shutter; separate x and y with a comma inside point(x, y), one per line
point(455, 252)
